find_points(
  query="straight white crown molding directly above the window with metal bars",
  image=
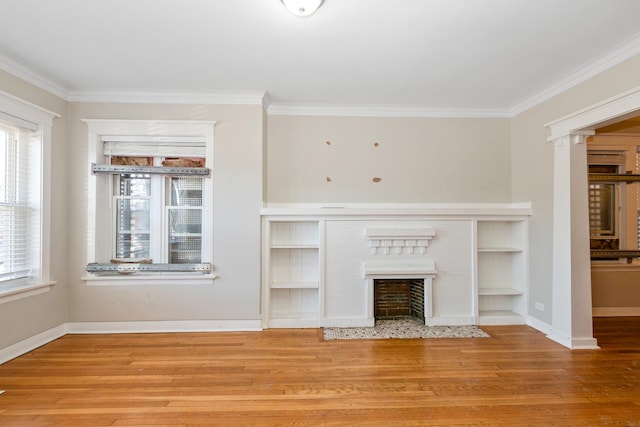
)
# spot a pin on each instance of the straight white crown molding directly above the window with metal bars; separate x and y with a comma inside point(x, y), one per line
point(170, 97)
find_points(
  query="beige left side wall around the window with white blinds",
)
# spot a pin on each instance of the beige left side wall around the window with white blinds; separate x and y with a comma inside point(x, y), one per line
point(26, 317)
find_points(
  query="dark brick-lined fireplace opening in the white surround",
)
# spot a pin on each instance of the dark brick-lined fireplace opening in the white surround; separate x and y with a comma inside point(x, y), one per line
point(398, 298)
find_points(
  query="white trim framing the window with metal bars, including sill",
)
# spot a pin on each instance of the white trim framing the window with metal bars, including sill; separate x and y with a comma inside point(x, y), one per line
point(156, 128)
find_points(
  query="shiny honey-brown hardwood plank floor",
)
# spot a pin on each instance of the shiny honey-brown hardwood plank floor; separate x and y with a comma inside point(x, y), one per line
point(293, 377)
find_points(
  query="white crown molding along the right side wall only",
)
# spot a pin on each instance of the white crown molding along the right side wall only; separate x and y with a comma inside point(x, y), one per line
point(622, 52)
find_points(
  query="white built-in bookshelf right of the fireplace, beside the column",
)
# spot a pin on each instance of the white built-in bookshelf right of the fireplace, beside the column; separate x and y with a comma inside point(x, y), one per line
point(502, 271)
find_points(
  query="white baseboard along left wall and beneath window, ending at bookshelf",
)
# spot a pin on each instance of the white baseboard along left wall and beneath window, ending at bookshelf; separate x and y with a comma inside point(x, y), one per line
point(45, 337)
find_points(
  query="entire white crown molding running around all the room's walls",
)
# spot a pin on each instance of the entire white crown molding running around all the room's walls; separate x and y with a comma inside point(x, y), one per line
point(622, 52)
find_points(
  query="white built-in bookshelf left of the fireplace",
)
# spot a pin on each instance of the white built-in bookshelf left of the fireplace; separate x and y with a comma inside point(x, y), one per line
point(293, 273)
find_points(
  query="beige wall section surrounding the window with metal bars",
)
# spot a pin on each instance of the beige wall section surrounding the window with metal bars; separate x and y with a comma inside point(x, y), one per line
point(237, 171)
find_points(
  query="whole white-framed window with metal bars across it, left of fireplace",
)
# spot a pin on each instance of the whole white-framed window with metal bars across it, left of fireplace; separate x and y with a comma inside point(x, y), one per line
point(152, 200)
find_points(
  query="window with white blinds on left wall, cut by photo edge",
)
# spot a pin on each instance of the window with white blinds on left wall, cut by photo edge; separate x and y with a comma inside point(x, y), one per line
point(25, 133)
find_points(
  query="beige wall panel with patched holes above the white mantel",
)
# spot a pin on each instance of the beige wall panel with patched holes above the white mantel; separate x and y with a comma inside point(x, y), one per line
point(417, 160)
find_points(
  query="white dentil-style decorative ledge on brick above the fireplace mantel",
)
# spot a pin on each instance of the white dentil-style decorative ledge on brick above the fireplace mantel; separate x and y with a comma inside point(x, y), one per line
point(400, 240)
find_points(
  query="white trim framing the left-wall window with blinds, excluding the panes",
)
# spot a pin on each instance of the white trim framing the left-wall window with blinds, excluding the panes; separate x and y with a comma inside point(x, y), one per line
point(25, 114)
